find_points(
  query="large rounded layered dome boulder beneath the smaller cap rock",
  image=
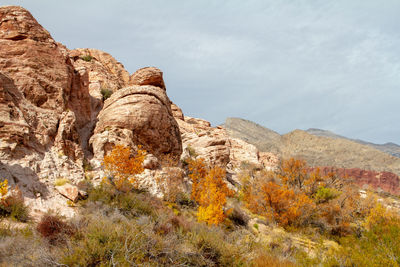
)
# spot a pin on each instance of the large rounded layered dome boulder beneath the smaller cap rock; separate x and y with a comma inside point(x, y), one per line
point(138, 115)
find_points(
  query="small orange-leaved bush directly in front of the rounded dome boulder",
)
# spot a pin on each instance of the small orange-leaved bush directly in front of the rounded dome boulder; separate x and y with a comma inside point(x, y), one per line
point(123, 166)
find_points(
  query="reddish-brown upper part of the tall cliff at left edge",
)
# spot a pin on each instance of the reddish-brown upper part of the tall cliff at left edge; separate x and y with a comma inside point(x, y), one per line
point(30, 56)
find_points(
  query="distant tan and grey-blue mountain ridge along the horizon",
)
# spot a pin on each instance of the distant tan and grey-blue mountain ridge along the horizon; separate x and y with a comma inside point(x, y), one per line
point(318, 147)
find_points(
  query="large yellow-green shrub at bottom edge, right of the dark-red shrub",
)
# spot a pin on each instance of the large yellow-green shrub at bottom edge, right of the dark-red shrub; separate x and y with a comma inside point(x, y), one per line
point(105, 242)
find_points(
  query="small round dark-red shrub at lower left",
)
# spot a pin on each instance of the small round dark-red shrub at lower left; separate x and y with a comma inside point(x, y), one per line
point(54, 229)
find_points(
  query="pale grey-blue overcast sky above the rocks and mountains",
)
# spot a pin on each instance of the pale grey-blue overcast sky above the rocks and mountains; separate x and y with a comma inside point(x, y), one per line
point(286, 65)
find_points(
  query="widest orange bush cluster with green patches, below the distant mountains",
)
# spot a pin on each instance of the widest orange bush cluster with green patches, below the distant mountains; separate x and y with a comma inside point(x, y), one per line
point(297, 195)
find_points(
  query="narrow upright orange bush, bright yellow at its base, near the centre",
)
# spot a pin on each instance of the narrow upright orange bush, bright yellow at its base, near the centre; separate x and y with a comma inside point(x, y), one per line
point(209, 190)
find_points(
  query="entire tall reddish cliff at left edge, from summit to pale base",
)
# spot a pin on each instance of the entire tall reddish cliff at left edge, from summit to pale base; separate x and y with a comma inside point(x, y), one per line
point(44, 102)
